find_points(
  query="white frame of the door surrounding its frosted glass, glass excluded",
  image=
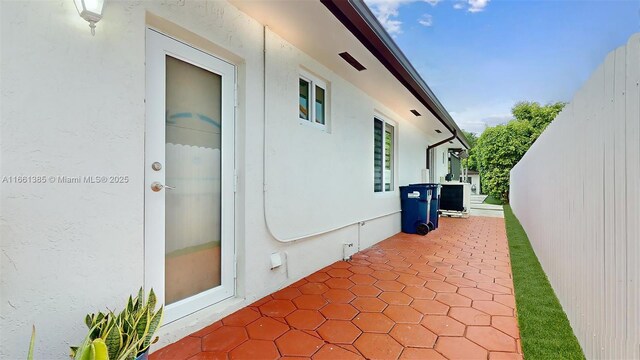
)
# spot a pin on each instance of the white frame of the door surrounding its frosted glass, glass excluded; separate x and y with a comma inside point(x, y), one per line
point(158, 46)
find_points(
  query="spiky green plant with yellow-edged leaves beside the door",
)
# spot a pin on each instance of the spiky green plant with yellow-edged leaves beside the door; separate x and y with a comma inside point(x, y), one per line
point(125, 336)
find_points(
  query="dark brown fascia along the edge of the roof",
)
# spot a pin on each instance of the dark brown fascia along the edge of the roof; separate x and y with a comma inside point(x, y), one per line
point(362, 23)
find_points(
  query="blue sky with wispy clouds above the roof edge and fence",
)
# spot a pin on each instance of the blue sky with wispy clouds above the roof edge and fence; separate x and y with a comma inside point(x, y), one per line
point(482, 56)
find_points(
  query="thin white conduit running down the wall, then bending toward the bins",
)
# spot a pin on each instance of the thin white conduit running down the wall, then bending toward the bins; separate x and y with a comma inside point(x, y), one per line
point(264, 163)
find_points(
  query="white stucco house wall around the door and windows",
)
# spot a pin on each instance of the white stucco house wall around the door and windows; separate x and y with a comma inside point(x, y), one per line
point(73, 105)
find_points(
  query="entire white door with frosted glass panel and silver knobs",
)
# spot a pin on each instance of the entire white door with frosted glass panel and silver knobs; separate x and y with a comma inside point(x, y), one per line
point(189, 176)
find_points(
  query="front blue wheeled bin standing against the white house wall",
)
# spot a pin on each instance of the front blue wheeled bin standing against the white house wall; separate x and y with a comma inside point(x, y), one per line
point(415, 202)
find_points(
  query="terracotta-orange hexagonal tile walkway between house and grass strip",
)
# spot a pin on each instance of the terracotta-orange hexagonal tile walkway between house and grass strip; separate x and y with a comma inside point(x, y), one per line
point(447, 295)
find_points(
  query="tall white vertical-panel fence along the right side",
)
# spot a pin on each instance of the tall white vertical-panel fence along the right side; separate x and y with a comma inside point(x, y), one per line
point(577, 194)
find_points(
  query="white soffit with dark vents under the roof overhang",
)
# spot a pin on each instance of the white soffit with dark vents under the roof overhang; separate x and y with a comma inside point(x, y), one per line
point(311, 27)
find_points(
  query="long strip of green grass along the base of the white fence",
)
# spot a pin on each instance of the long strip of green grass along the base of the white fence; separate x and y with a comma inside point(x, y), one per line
point(544, 327)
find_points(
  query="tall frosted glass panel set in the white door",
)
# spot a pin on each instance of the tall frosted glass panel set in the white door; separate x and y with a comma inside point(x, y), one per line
point(193, 169)
